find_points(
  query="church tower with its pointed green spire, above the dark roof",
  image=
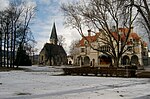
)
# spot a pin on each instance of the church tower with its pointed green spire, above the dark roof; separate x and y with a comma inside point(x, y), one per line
point(53, 37)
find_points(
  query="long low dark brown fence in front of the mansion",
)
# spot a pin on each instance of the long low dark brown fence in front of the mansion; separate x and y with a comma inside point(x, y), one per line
point(102, 71)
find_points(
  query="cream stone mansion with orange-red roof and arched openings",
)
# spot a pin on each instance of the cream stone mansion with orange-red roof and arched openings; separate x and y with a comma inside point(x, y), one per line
point(137, 52)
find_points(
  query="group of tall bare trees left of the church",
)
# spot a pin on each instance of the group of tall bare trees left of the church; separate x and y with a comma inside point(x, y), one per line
point(14, 31)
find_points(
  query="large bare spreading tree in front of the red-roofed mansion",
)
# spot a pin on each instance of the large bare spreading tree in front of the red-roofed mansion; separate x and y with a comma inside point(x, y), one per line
point(102, 15)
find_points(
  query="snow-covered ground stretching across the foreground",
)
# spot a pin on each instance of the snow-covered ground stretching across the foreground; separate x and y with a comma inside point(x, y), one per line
point(44, 83)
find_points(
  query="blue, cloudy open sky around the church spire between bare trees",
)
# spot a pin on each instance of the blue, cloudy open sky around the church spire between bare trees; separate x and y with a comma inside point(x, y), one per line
point(48, 13)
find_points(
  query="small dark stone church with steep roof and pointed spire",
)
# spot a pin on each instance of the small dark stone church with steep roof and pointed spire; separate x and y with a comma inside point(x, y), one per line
point(53, 54)
